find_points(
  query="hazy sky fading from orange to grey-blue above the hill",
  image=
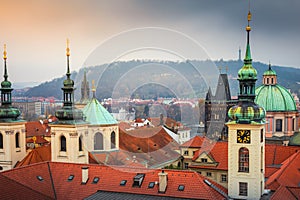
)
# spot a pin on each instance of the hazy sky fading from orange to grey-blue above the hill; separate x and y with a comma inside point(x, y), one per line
point(35, 31)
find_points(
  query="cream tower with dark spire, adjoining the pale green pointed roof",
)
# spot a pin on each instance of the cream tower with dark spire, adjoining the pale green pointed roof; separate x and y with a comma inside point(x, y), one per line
point(68, 136)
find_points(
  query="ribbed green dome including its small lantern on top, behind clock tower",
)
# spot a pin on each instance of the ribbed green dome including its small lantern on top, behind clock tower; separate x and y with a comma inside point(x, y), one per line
point(272, 96)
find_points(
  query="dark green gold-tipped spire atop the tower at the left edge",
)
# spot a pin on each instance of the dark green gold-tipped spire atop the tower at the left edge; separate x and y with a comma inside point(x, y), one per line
point(8, 113)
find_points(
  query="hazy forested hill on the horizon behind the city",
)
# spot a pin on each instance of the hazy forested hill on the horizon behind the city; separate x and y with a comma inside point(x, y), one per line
point(152, 79)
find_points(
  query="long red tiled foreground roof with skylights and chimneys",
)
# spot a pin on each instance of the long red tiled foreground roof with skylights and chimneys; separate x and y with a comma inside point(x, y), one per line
point(56, 185)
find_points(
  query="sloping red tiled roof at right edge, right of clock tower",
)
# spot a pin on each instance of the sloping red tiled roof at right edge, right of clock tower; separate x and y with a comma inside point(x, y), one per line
point(287, 175)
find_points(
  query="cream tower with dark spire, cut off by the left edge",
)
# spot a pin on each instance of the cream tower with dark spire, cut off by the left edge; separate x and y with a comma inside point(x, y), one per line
point(12, 130)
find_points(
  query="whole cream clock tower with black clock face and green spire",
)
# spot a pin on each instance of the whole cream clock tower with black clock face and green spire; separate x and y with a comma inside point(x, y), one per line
point(246, 144)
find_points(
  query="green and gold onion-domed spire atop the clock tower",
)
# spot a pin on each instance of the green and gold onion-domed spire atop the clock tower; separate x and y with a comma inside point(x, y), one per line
point(247, 111)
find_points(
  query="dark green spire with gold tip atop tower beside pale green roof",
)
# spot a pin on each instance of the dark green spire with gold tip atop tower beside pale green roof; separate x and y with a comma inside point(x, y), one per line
point(68, 114)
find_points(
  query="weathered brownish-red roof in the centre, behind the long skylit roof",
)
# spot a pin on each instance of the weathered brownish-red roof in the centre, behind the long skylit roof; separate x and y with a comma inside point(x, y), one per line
point(152, 147)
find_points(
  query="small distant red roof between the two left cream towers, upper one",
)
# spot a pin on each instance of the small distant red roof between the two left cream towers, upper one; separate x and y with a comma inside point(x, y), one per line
point(36, 128)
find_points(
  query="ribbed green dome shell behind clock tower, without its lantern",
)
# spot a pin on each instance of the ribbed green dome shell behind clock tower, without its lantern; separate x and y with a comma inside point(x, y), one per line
point(275, 98)
